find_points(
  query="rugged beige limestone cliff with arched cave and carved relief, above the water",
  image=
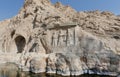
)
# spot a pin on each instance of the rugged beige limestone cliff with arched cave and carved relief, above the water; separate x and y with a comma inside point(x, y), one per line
point(57, 39)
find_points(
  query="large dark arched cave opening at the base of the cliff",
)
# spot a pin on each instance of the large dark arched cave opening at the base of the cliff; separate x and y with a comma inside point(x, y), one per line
point(20, 43)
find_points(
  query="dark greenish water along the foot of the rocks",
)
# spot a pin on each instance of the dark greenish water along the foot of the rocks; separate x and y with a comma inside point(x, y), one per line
point(27, 74)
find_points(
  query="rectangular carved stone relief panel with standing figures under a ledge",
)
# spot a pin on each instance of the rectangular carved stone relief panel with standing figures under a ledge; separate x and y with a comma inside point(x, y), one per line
point(62, 37)
